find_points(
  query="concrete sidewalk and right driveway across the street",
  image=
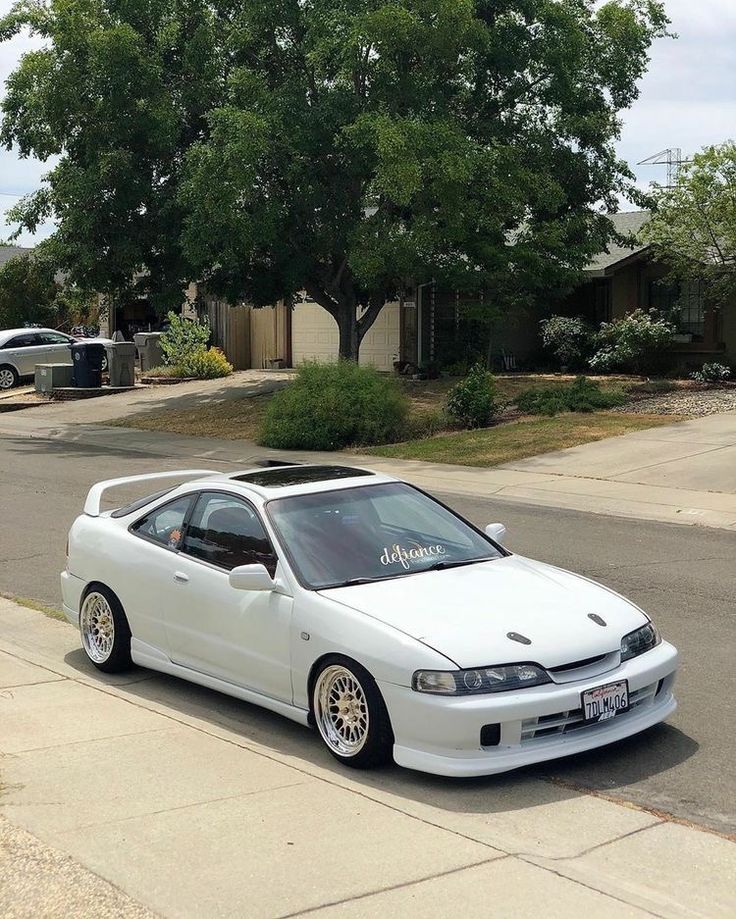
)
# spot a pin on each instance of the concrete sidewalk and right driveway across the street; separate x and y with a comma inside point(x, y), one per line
point(683, 473)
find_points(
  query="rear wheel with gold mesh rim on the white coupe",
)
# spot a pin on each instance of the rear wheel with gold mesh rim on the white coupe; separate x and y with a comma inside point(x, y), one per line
point(105, 630)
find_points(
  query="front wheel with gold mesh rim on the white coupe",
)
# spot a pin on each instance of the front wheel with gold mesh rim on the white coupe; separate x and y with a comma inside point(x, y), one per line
point(351, 715)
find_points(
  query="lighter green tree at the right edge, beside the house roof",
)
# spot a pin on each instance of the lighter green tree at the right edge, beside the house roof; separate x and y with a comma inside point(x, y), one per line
point(693, 228)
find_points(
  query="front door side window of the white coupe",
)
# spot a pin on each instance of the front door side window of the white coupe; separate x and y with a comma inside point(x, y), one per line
point(227, 532)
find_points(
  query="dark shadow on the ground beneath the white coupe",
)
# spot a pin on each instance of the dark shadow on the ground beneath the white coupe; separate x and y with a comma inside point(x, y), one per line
point(614, 770)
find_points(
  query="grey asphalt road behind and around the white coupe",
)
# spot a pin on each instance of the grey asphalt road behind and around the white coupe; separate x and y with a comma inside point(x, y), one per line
point(684, 577)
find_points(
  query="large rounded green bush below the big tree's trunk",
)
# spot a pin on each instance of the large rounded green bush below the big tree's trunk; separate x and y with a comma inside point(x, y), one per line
point(329, 406)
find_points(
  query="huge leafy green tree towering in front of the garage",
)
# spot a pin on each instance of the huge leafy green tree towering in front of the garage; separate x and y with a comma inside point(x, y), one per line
point(346, 147)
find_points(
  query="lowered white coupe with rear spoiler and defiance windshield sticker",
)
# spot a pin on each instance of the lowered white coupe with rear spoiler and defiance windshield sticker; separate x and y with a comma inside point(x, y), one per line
point(355, 602)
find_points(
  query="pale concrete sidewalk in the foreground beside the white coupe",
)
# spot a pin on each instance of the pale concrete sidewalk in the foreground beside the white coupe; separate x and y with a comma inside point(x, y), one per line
point(193, 804)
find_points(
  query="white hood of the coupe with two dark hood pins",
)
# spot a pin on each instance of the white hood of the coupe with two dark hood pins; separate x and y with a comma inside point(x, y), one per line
point(466, 613)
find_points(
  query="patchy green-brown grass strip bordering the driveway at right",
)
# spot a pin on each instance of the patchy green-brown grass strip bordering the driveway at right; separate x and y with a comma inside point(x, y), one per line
point(514, 440)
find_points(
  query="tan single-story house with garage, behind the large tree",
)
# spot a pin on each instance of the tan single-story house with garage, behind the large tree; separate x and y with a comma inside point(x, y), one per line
point(433, 325)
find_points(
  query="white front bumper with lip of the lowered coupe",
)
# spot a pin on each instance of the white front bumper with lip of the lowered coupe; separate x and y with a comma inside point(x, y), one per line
point(441, 734)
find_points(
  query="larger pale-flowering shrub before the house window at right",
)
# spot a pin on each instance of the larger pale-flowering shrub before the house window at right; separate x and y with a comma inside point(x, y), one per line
point(637, 343)
